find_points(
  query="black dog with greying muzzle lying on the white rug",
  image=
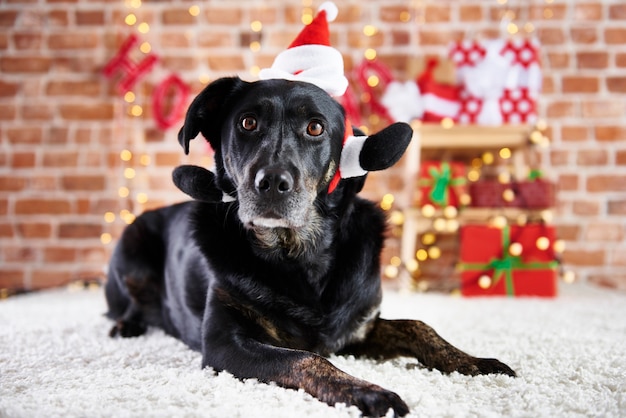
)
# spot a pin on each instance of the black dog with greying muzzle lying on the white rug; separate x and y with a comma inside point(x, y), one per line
point(268, 284)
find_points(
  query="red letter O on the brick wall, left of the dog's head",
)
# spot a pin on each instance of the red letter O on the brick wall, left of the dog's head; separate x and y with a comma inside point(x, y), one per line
point(179, 99)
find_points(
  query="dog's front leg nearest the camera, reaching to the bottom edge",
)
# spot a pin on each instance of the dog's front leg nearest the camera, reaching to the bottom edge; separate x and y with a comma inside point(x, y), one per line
point(296, 369)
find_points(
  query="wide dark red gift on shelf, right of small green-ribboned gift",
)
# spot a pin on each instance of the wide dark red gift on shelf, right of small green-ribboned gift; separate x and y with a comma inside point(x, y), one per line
point(536, 194)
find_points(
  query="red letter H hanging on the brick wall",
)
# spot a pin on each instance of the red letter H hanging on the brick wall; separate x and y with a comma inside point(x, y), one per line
point(131, 70)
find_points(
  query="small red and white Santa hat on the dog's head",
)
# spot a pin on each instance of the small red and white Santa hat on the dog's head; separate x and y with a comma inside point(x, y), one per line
point(310, 57)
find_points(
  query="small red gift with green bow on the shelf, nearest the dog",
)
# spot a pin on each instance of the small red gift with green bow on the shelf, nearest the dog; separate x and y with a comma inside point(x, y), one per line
point(442, 183)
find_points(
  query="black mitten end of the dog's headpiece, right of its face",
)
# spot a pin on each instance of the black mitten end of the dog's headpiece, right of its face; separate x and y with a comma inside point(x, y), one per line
point(384, 148)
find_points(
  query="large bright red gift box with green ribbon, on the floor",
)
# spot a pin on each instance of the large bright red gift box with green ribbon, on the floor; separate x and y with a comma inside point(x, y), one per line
point(511, 261)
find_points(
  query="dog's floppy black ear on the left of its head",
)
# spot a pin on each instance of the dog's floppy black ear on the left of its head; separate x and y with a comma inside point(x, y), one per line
point(204, 113)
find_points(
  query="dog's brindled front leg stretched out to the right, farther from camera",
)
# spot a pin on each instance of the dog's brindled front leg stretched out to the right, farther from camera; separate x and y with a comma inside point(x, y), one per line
point(394, 338)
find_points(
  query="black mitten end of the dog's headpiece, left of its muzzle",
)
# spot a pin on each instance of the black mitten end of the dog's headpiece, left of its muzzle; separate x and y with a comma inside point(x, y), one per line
point(197, 182)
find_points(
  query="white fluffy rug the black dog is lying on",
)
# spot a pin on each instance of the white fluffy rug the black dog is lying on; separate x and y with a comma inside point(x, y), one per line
point(56, 360)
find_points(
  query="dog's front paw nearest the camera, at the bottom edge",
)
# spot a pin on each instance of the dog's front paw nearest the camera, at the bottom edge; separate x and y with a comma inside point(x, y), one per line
point(374, 401)
